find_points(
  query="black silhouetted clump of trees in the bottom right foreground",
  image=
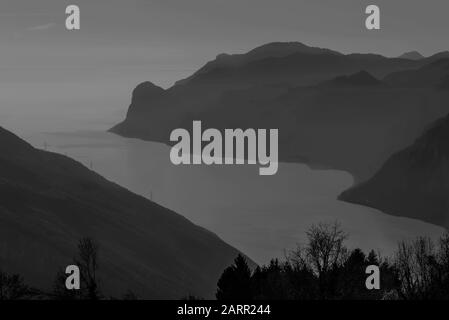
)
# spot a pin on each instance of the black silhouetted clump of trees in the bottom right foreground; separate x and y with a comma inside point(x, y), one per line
point(325, 269)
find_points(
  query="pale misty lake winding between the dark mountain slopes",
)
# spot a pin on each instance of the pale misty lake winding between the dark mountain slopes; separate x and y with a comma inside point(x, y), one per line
point(261, 215)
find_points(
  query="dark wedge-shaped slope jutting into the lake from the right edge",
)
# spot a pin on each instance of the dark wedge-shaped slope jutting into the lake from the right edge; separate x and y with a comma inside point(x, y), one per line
point(414, 182)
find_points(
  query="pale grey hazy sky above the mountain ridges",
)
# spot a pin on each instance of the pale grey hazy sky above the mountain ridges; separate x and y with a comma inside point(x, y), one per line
point(122, 43)
